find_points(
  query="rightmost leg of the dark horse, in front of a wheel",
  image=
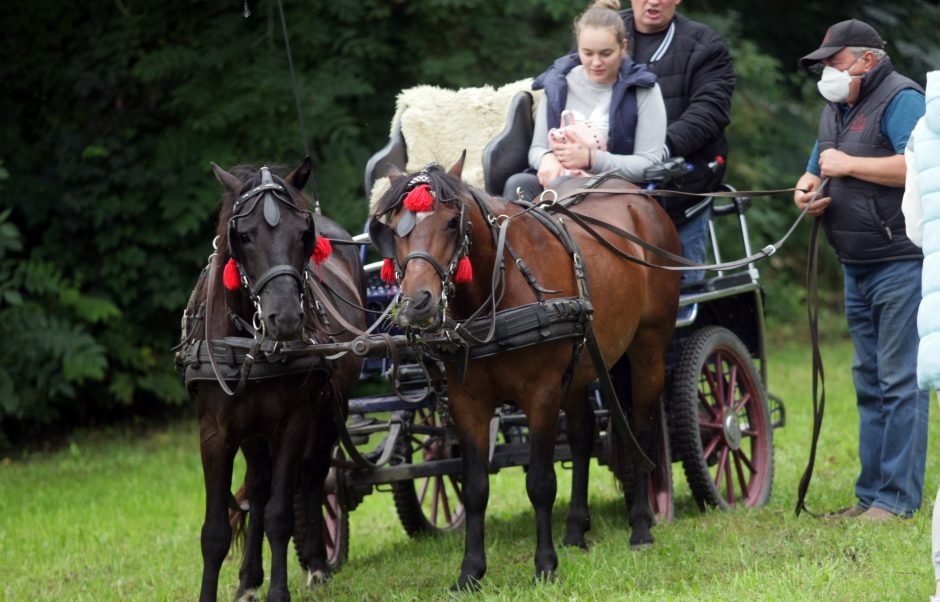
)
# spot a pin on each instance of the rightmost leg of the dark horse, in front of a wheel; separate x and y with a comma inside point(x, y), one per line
point(316, 466)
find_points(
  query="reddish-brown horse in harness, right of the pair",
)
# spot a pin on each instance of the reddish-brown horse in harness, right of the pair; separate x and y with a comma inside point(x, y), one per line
point(430, 238)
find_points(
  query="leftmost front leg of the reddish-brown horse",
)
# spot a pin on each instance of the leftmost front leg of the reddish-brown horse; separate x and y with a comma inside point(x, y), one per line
point(472, 421)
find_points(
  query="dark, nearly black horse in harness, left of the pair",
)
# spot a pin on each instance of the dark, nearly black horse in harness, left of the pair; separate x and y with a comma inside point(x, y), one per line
point(262, 295)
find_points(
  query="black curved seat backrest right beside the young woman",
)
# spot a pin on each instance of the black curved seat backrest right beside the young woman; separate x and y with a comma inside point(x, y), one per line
point(508, 152)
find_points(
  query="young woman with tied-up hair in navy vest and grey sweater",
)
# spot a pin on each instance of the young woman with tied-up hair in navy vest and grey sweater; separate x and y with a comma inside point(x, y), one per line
point(604, 90)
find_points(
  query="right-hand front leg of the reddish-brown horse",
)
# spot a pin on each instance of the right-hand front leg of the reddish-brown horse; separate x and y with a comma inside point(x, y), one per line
point(541, 484)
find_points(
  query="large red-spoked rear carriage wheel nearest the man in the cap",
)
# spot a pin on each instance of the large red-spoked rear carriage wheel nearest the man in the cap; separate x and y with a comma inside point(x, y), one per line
point(720, 421)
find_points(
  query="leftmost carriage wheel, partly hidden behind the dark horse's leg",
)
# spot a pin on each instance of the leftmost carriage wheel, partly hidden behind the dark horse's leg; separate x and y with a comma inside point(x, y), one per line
point(335, 520)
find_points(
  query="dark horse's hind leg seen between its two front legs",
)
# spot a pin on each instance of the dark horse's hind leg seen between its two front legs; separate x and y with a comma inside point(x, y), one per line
point(258, 484)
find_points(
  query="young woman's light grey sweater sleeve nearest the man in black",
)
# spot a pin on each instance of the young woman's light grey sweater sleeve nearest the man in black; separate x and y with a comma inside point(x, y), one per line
point(648, 142)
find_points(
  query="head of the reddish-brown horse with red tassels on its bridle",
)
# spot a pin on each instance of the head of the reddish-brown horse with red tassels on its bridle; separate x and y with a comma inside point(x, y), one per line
point(421, 226)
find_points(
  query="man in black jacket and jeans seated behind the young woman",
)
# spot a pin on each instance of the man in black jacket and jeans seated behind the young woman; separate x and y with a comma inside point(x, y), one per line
point(695, 74)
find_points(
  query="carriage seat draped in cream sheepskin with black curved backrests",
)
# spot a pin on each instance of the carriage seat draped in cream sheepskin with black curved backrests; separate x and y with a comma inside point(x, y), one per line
point(432, 124)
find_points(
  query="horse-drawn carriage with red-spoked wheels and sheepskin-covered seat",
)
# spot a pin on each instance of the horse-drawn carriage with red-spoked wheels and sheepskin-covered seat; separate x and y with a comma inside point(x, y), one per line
point(717, 418)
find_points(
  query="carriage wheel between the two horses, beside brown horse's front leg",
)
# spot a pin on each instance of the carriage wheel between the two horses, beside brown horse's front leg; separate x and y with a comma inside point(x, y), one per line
point(429, 505)
